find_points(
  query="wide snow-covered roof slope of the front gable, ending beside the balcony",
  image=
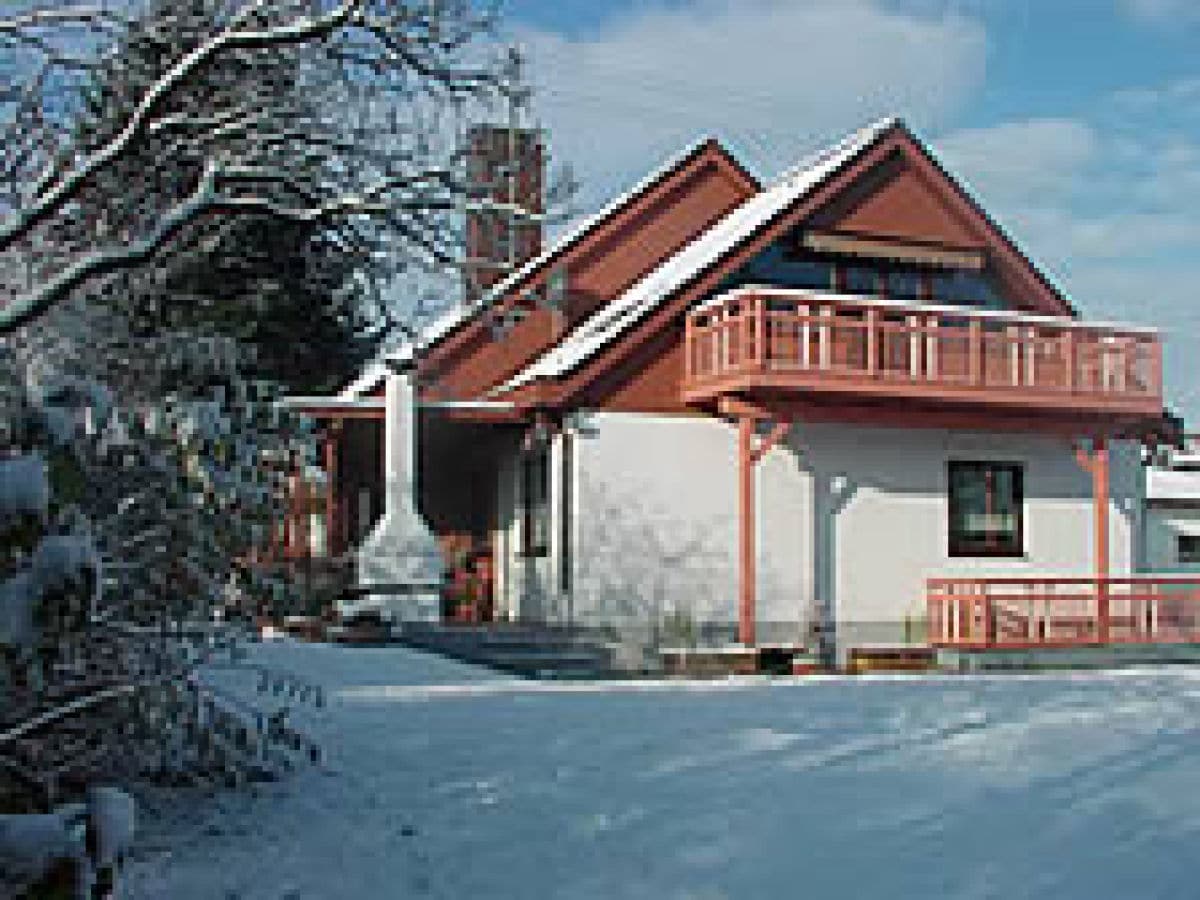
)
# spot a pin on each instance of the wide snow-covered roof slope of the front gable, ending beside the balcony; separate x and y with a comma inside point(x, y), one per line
point(710, 248)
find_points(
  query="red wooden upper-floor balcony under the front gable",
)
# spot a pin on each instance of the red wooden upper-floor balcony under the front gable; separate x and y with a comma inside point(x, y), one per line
point(797, 341)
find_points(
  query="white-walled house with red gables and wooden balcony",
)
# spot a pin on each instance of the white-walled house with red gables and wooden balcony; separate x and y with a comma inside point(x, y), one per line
point(842, 409)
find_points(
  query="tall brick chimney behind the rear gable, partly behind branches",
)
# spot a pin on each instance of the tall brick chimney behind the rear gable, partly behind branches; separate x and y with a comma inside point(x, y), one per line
point(506, 166)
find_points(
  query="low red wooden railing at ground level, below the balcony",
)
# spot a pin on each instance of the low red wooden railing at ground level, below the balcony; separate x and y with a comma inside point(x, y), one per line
point(983, 614)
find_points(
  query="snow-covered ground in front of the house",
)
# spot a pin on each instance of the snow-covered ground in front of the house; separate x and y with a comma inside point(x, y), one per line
point(449, 782)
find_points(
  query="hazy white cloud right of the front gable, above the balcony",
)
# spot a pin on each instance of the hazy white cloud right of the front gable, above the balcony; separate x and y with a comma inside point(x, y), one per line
point(1109, 207)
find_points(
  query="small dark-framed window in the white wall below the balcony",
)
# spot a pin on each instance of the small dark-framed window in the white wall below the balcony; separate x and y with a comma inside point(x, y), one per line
point(986, 507)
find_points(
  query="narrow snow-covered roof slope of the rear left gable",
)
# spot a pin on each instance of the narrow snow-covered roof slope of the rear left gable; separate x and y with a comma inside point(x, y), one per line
point(374, 374)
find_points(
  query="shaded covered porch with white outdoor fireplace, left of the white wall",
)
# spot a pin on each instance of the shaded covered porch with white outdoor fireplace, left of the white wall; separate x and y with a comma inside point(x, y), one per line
point(436, 473)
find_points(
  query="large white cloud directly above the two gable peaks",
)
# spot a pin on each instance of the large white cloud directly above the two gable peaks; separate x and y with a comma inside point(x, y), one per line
point(773, 77)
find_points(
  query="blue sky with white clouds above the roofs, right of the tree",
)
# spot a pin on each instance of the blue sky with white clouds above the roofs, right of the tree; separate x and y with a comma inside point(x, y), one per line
point(1077, 122)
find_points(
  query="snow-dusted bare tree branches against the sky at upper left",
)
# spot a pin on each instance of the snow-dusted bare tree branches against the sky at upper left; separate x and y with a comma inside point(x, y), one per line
point(367, 147)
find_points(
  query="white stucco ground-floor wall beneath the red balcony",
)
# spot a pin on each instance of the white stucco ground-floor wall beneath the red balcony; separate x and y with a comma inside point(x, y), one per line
point(847, 515)
